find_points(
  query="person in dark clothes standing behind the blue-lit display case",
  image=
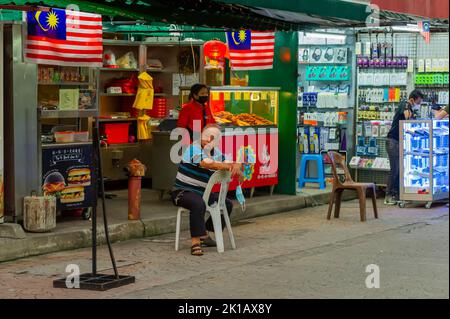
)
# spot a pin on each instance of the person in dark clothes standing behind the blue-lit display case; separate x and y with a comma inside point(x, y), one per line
point(406, 111)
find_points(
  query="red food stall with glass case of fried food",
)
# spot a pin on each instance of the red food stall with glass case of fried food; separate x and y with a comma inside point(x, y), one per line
point(249, 120)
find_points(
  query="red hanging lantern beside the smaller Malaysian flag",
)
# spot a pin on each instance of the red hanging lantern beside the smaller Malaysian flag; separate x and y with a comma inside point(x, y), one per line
point(215, 53)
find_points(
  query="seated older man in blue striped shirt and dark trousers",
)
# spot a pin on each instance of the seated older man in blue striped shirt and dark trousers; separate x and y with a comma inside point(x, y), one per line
point(199, 162)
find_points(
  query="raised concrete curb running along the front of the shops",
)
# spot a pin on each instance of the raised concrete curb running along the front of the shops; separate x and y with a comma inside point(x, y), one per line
point(47, 243)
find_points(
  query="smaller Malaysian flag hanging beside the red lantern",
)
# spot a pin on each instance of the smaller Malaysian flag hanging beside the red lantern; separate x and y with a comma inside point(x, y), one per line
point(251, 50)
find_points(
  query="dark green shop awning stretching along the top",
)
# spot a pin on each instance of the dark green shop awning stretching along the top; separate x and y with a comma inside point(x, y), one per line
point(233, 14)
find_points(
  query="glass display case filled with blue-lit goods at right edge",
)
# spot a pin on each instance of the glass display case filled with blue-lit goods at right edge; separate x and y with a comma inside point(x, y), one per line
point(424, 159)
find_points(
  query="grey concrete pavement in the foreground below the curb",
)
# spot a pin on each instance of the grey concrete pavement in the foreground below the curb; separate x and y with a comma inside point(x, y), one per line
point(298, 254)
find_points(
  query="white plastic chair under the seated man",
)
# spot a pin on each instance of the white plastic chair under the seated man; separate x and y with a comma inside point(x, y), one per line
point(215, 210)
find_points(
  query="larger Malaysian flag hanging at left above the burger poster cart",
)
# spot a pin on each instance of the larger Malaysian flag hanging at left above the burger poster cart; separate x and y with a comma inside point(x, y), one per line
point(64, 37)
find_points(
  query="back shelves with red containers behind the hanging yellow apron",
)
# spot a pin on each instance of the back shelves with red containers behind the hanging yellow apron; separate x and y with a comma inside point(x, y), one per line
point(166, 63)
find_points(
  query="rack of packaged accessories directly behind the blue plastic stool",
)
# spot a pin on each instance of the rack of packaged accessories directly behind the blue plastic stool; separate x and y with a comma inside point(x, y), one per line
point(325, 98)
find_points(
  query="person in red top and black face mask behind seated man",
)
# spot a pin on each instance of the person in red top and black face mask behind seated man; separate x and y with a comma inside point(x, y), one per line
point(197, 109)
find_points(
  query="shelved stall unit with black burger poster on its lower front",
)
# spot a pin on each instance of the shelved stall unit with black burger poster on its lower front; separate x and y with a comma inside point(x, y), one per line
point(67, 104)
